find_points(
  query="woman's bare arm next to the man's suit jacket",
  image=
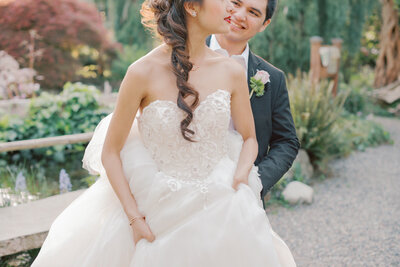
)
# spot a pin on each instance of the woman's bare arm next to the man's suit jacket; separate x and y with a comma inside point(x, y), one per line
point(242, 117)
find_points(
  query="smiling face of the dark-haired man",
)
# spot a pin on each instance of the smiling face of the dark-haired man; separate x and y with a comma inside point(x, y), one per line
point(248, 19)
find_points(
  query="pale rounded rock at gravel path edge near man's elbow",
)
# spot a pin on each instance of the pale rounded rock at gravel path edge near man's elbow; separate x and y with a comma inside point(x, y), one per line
point(297, 192)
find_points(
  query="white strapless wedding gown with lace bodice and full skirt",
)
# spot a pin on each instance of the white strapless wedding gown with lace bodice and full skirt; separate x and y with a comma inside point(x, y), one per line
point(185, 191)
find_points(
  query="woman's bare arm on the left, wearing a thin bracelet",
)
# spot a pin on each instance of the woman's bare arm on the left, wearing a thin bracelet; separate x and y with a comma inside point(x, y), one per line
point(131, 93)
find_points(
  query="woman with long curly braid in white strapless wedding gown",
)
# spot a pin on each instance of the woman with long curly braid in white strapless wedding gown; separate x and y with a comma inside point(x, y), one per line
point(177, 187)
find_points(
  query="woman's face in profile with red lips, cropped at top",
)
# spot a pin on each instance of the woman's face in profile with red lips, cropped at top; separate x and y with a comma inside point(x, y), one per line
point(214, 16)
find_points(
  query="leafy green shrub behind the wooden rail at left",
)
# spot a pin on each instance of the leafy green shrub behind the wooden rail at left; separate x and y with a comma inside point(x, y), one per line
point(75, 110)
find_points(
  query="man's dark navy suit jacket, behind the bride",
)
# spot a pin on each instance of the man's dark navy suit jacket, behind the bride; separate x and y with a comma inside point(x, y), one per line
point(276, 135)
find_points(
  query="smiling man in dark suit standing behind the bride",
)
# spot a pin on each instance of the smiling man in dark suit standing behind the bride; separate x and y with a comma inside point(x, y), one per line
point(276, 135)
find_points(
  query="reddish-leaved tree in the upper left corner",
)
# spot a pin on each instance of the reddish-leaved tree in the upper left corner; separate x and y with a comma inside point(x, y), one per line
point(49, 36)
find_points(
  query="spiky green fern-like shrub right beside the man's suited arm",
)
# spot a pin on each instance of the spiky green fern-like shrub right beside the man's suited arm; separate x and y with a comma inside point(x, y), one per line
point(315, 112)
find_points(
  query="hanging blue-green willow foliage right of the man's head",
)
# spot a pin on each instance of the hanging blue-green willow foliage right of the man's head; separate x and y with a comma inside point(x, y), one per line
point(286, 41)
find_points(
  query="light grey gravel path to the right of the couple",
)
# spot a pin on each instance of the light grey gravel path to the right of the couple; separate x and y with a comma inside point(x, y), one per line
point(355, 217)
